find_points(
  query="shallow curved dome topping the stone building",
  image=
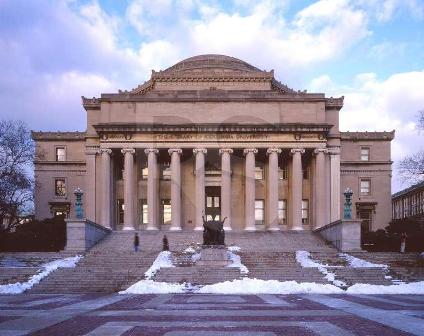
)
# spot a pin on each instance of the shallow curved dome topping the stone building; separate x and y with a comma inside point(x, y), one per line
point(212, 61)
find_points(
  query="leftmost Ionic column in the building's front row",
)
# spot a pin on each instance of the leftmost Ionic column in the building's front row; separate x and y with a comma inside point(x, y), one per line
point(106, 187)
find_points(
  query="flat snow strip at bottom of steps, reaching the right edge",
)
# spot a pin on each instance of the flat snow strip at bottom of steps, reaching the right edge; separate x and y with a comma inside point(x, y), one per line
point(402, 288)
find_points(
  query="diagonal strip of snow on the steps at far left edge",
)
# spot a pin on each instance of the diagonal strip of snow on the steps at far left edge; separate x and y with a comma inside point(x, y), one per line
point(18, 287)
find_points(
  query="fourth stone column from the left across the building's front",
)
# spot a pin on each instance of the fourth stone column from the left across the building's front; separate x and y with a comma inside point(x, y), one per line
point(175, 188)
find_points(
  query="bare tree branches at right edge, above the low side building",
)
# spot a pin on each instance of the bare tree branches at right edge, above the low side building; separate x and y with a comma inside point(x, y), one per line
point(411, 168)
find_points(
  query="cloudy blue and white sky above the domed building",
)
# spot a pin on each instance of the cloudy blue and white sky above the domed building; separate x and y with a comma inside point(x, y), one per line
point(371, 51)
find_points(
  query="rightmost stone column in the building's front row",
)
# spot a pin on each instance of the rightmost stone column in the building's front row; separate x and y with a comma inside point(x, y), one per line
point(320, 194)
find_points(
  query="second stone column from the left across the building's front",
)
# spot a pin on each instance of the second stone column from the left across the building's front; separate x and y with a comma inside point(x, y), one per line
point(128, 188)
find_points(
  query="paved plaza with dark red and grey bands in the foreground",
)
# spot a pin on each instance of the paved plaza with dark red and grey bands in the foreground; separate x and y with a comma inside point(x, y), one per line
point(207, 315)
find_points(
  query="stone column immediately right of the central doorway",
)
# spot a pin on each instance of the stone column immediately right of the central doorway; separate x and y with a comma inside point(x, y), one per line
point(226, 186)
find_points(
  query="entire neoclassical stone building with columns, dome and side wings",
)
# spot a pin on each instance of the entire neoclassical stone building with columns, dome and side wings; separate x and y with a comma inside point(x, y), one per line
point(214, 136)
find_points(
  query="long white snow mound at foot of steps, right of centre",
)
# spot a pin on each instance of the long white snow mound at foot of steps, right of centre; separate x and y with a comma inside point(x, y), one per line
point(255, 286)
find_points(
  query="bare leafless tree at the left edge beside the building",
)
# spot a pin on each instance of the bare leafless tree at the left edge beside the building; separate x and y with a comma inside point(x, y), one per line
point(16, 183)
